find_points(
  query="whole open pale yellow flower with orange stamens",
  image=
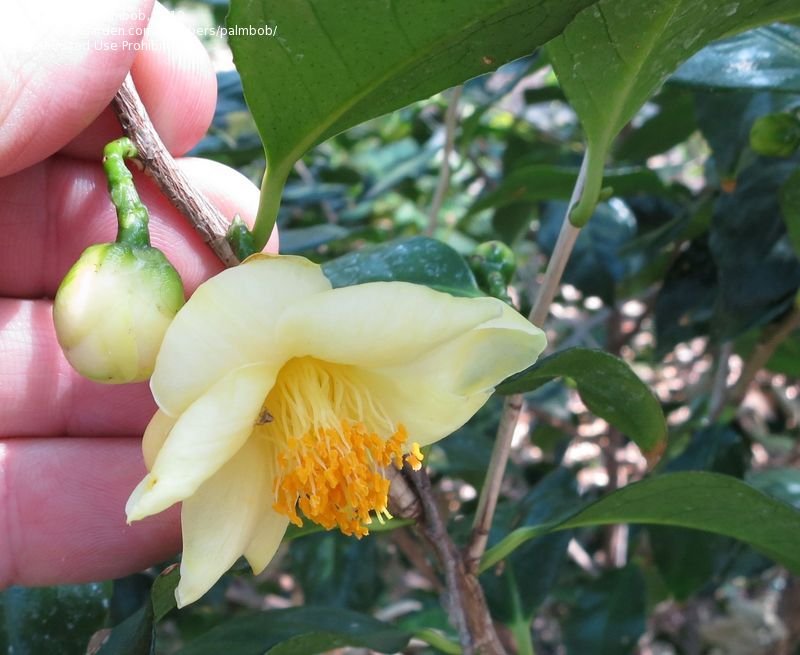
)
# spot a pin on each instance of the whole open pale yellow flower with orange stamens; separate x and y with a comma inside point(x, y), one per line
point(277, 393)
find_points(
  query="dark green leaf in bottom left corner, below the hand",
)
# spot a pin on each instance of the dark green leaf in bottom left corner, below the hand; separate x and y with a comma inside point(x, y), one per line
point(52, 619)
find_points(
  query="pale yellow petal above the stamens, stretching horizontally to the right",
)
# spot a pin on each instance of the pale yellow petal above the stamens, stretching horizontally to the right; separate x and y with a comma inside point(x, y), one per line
point(379, 324)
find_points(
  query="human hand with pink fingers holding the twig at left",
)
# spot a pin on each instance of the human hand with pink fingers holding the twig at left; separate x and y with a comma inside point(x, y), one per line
point(70, 448)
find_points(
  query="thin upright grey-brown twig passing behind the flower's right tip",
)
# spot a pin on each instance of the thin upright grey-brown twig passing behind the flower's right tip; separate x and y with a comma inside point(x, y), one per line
point(487, 503)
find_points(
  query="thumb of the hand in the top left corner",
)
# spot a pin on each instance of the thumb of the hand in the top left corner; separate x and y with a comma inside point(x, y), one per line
point(60, 66)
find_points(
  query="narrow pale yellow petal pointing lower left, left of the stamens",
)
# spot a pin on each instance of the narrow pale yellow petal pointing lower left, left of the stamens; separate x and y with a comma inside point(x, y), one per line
point(205, 436)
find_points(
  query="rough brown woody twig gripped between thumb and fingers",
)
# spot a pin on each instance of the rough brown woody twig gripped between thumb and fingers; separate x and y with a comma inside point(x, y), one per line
point(160, 165)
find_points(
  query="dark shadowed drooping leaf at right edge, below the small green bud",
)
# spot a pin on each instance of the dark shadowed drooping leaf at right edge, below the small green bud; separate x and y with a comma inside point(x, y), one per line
point(758, 271)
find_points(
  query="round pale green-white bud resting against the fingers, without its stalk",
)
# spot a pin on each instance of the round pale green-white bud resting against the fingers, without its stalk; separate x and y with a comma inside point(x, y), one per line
point(112, 309)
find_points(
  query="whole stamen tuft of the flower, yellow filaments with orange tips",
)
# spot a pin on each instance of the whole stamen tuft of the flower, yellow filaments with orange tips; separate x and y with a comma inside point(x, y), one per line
point(331, 443)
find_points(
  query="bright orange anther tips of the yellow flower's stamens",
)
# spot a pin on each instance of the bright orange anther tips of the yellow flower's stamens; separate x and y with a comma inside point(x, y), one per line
point(335, 476)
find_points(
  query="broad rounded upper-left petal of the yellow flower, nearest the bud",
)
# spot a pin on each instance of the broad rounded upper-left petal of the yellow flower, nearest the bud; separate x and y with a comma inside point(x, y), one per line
point(228, 322)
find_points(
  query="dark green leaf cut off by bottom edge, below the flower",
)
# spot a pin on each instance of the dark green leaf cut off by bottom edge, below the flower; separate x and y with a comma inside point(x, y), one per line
point(298, 631)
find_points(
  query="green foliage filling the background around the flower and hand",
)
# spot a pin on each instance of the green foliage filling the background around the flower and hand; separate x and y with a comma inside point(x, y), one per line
point(688, 272)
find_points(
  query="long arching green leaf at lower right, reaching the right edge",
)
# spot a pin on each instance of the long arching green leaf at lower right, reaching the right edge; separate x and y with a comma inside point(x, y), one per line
point(702, 501)
